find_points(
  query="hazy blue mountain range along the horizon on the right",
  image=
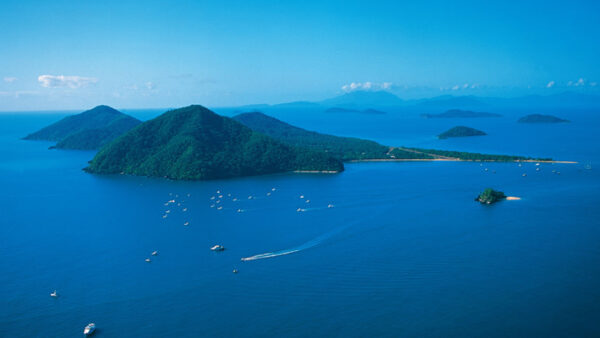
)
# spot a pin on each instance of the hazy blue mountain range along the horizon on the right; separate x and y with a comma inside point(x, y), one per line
point(360, 100)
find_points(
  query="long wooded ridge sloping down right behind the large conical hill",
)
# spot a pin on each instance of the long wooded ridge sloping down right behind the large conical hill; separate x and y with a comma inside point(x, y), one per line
point(343, 148)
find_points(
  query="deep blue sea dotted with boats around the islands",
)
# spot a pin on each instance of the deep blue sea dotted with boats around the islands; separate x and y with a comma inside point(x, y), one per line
point(405, 251)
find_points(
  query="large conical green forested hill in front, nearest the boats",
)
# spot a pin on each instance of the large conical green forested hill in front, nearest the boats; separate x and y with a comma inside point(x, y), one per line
point(195, 143)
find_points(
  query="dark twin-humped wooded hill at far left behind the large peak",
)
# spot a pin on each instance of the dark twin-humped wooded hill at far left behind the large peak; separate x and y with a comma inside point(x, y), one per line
point(89, 130)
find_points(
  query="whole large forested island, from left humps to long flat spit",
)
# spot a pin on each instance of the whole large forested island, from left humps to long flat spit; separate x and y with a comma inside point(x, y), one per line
point(196, 144)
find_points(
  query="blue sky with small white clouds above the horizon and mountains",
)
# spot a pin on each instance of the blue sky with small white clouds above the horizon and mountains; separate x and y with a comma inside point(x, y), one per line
point(141, 54)
